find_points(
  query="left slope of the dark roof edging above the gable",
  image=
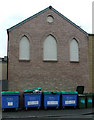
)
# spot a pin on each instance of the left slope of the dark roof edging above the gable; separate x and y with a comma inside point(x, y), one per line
point(26, 20)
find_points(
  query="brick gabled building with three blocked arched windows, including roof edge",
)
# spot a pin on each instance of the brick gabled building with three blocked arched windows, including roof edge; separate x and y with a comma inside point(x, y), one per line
point(49, 51)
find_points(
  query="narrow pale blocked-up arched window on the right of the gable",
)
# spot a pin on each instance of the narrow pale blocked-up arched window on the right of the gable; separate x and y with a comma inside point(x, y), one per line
point(74, 50)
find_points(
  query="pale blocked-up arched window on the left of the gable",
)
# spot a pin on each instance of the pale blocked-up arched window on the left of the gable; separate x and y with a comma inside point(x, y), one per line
point(24, 49)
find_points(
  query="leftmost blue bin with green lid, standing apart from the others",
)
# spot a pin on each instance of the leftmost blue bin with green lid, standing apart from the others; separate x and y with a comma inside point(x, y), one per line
point(10, 99)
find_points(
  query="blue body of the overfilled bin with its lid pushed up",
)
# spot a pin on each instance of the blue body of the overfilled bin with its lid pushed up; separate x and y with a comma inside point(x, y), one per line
point(32, 100)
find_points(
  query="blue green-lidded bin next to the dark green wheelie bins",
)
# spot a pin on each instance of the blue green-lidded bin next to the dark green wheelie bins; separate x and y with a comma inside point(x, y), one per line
point(69, 98)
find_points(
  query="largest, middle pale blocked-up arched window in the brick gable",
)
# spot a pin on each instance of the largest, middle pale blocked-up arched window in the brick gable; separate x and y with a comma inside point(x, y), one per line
point(50, 49)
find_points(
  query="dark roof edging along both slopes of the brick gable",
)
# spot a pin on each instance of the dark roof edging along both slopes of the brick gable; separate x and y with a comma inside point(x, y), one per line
point(50, 7)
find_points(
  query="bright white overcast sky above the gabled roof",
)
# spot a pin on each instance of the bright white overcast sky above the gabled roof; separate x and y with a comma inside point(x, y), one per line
point(15, 11)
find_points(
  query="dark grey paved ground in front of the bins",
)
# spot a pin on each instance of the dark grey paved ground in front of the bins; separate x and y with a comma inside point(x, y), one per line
point(50, 114)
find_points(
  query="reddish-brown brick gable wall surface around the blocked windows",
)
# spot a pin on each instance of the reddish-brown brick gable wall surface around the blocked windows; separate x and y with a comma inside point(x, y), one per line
point(60, 75)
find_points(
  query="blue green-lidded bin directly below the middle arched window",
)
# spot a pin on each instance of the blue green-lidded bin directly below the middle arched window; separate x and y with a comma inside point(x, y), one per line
point(51, 99)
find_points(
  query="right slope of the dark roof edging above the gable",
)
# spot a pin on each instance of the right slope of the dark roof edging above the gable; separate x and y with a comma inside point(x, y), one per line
point(69, 21)
